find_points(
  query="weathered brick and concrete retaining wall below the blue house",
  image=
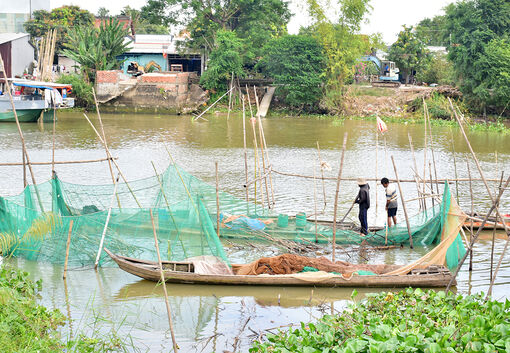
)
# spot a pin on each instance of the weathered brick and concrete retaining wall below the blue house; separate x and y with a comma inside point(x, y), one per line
point(170, 92)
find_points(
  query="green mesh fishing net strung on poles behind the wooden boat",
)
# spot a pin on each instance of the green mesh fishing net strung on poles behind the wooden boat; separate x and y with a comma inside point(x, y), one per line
point(36, 223)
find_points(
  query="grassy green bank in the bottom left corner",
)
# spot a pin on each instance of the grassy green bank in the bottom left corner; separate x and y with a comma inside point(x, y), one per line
point(26, 326)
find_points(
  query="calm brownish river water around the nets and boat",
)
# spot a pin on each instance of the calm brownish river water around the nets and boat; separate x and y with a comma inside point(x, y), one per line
point(209, 318)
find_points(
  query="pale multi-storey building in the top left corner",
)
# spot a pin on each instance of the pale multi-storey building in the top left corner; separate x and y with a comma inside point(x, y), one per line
point(14, 14)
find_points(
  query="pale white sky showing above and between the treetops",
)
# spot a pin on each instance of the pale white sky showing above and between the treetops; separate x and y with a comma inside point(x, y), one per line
point(387, 16)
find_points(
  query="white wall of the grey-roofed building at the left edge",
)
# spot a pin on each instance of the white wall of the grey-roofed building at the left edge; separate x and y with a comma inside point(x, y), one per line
point(17, 53)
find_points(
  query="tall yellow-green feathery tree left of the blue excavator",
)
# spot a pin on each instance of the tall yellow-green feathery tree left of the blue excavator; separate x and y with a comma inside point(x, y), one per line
point(342, 43)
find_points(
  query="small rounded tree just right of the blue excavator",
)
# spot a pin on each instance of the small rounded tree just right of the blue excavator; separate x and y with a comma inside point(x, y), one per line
point(408, 52)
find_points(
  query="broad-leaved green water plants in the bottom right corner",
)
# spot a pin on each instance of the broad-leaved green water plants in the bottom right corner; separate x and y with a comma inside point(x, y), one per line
point(408, 321)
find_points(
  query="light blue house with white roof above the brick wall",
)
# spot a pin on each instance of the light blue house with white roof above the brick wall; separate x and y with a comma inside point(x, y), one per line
point(158, 52)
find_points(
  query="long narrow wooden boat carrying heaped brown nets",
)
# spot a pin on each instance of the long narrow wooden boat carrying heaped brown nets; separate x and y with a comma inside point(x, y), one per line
point(183, 272)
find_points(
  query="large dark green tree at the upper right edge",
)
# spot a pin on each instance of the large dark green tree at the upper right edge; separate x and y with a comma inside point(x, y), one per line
point(480, 32)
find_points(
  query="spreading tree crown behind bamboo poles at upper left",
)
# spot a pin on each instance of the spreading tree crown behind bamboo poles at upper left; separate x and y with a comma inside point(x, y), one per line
point(62, 18)
